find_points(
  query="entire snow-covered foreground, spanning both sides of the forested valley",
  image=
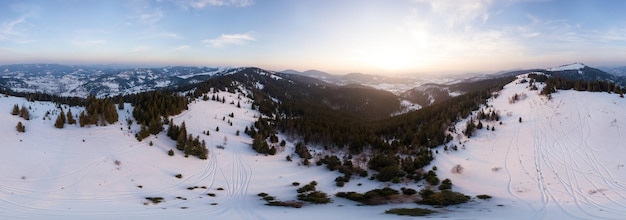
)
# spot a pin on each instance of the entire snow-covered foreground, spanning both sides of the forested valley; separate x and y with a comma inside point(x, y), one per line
point(563, 161)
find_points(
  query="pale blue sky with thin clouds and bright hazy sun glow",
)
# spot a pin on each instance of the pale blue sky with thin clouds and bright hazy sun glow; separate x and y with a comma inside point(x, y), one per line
point(336, 36)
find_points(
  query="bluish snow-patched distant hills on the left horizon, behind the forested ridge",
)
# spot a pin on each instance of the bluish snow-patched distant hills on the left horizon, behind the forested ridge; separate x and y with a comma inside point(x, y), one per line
point(65, 80)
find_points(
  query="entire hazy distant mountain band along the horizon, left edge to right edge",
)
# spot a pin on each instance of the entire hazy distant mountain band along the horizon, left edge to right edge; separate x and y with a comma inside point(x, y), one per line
point(80, 81)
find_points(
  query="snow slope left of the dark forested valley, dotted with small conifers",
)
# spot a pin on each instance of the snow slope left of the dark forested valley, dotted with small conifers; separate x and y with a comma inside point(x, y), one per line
point(104, 172)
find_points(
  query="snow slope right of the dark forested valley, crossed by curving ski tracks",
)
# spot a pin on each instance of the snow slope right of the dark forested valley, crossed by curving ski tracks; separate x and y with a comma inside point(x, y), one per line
point(563, 161)
